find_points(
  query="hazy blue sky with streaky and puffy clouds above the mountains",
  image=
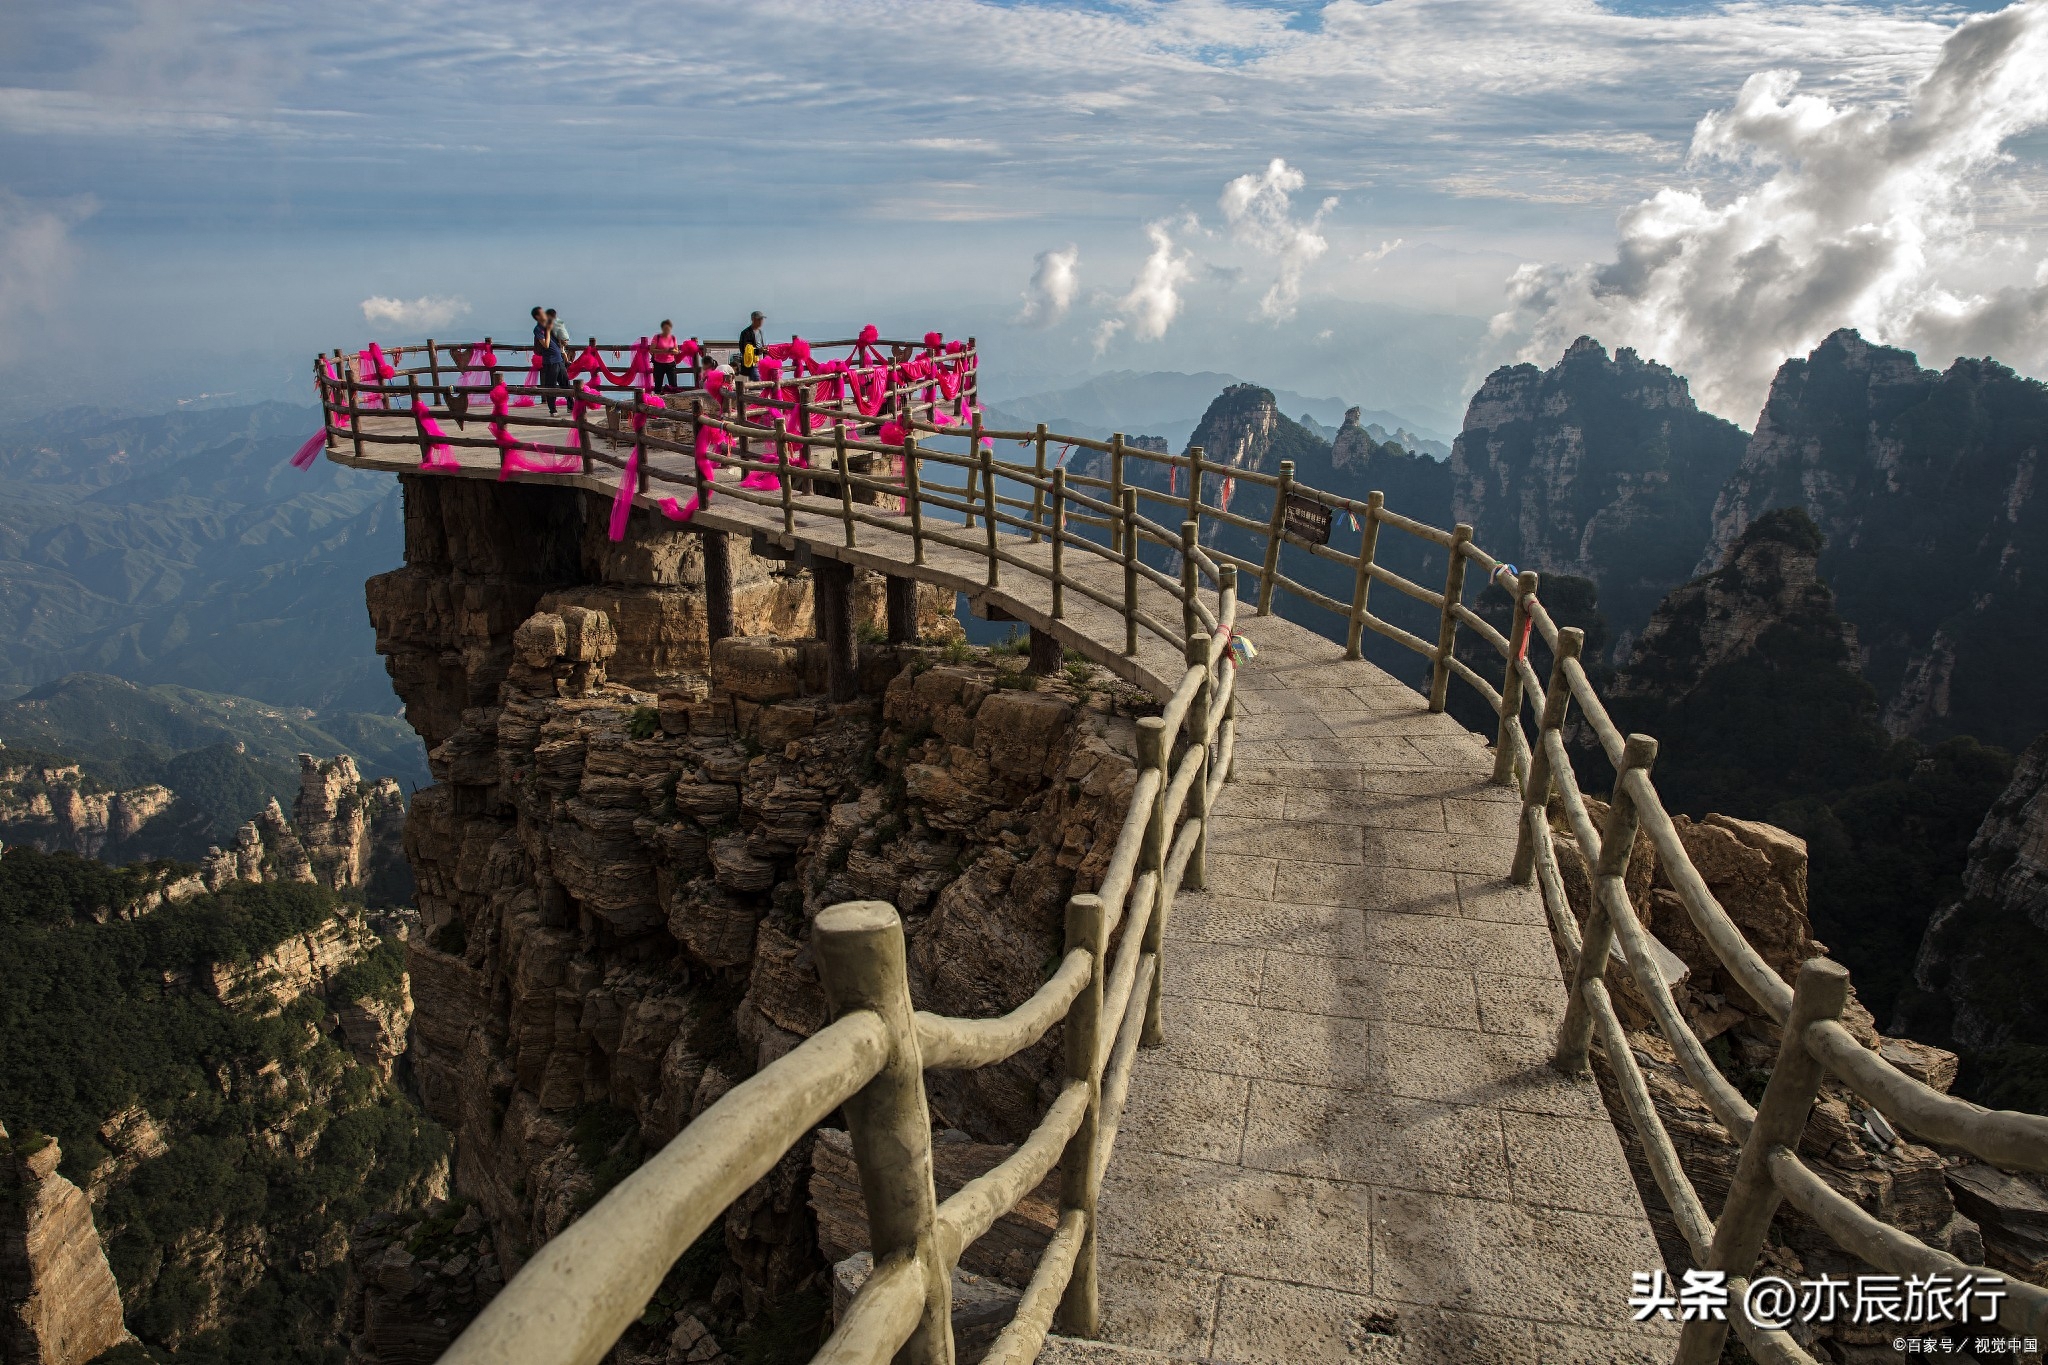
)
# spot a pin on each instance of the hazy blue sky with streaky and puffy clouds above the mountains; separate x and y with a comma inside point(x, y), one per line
point(1373, 202)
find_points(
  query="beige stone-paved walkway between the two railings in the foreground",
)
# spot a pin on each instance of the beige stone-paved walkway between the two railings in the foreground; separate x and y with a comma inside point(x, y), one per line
point(1353, 1147)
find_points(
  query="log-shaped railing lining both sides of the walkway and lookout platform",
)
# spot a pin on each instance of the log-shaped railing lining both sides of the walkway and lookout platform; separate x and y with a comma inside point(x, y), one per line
point(812, 447)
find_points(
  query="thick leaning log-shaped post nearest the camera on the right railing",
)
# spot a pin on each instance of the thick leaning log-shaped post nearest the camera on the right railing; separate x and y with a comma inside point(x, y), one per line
point(1746, 1215)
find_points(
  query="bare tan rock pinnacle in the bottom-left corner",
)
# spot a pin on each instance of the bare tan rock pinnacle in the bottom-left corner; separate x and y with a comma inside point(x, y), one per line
point(58, 1301)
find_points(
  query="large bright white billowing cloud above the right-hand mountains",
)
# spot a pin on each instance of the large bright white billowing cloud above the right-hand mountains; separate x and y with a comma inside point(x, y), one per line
point(1857, 218)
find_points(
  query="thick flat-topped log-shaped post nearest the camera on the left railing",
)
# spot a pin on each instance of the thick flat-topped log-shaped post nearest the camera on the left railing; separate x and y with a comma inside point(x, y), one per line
point(859, 949)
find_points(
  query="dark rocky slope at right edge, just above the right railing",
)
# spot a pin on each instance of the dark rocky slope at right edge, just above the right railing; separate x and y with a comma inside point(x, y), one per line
point(1979, 969)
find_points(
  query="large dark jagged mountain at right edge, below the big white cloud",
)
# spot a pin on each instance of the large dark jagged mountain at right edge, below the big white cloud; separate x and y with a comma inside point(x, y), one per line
point(1924, 486)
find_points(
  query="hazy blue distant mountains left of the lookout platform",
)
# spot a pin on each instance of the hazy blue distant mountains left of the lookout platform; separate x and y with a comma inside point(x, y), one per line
point(185, 549)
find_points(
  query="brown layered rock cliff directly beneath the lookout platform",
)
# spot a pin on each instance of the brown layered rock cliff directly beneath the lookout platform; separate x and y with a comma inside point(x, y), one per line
point(617, 877)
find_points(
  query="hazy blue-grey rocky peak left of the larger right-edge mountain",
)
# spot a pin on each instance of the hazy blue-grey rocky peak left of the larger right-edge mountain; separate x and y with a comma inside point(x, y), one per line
point(1598, 468)
